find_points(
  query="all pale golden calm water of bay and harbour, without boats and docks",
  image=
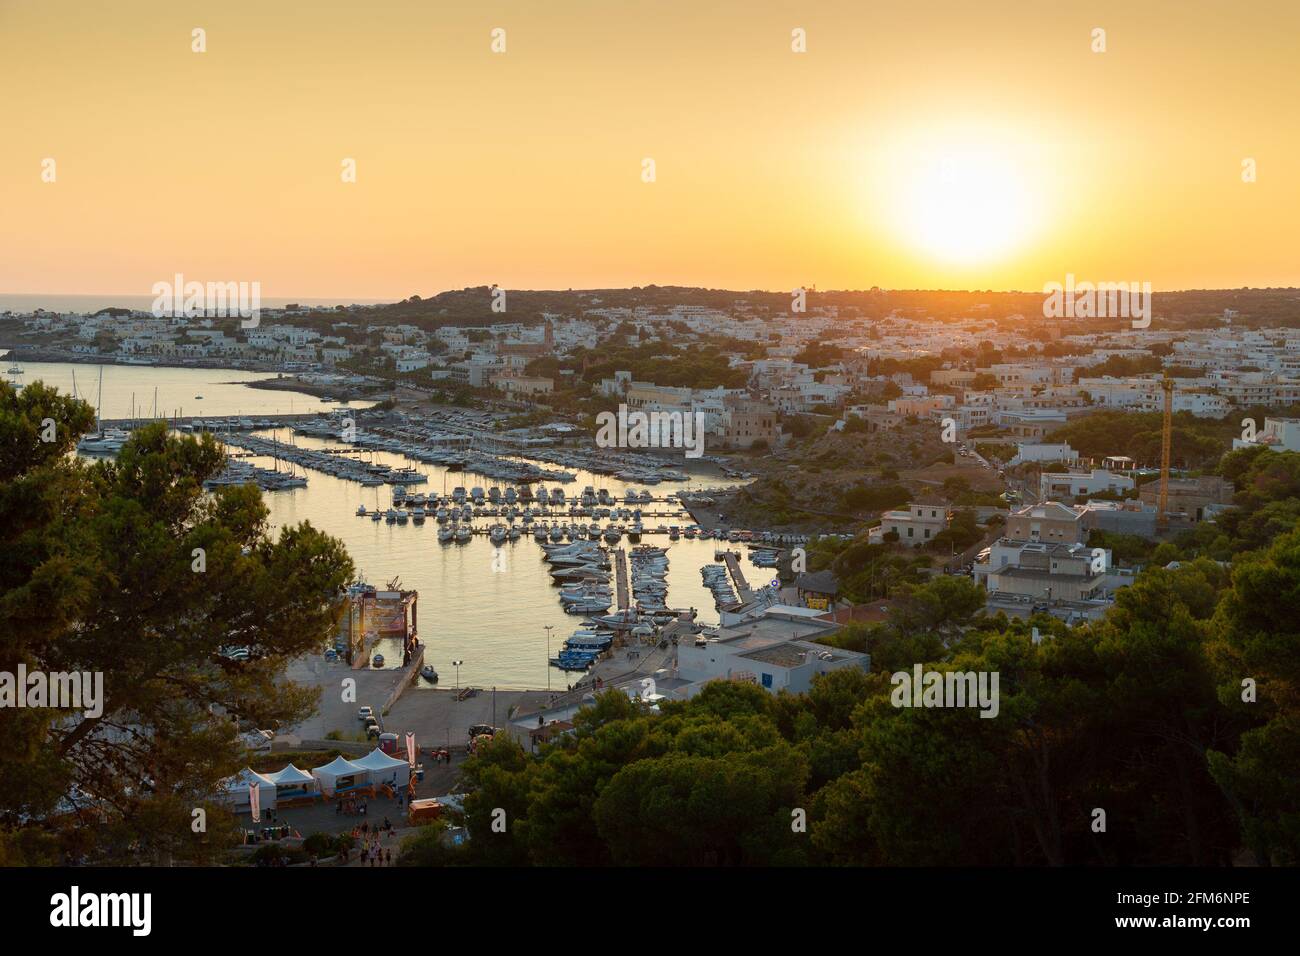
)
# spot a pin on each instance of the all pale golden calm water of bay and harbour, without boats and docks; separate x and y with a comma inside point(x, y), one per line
point(493, 621)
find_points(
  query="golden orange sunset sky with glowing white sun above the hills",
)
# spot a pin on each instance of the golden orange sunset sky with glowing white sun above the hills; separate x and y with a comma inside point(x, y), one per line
point(939, 145)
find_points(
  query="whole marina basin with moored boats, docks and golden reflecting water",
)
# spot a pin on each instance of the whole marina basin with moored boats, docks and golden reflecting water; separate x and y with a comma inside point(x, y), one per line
point(467, 535)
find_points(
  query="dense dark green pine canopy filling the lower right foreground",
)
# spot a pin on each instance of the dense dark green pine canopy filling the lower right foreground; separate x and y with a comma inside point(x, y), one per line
point(1139, 715)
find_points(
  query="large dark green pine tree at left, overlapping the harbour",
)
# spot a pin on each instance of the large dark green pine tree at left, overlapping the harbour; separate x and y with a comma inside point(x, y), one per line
point(98, 576)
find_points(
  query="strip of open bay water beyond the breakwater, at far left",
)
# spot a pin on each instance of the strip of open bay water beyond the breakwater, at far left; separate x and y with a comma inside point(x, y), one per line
point(177, 391)
